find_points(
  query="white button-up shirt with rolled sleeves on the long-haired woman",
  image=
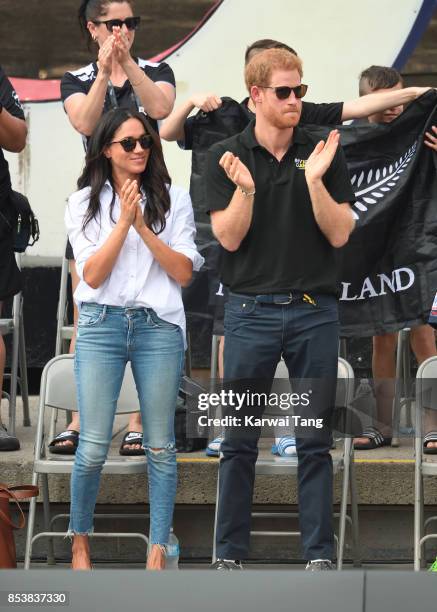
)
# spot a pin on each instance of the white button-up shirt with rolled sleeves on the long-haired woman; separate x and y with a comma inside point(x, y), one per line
point(137, 279)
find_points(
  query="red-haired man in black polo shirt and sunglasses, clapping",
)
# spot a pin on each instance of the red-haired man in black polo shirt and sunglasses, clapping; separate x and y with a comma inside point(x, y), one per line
point(279, 204)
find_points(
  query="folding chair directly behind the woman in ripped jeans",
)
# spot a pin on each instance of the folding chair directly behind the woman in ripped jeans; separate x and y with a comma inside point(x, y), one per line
point(58, 392)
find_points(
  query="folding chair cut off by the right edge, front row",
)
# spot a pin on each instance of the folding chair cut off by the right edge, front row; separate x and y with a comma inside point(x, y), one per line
point(426, 397)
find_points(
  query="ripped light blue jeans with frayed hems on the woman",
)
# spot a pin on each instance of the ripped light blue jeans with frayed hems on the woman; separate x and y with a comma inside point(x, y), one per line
point(107, 338)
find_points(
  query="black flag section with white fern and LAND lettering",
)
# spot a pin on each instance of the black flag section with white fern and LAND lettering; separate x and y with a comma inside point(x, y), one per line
point(388, 269)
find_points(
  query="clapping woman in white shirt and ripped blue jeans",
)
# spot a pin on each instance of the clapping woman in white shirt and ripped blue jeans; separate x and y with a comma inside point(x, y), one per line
point(133, 240)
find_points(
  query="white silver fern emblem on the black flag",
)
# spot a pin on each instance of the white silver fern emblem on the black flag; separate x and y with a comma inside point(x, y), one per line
point(375, 184)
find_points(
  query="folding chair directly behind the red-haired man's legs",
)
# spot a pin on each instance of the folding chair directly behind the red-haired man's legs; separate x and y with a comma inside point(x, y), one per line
point(288, 466)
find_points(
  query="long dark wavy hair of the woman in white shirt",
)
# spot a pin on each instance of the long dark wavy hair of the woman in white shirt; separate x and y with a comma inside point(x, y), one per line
point(155, 180)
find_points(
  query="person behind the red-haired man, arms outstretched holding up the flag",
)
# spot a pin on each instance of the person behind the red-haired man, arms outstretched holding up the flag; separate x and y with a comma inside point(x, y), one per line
point(219, 118)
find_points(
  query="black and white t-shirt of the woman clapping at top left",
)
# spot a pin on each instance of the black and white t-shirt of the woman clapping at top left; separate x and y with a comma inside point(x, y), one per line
point(81, 81)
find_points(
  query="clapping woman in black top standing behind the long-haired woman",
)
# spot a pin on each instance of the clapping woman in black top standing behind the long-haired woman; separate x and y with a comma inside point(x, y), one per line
point(116, 78)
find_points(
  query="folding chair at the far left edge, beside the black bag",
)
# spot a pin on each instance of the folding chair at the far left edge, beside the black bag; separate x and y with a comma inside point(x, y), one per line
point(14, 325)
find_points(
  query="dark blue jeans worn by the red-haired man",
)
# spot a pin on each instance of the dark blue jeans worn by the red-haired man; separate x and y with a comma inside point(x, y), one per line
point(256, 335)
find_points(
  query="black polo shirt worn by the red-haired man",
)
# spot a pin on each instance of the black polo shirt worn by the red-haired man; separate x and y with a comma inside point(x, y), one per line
point(284, 249)
